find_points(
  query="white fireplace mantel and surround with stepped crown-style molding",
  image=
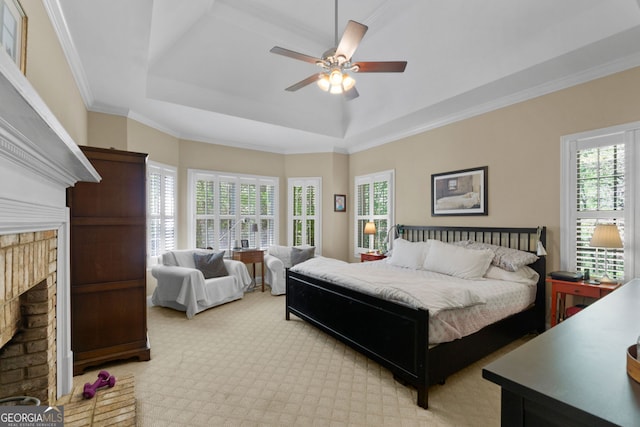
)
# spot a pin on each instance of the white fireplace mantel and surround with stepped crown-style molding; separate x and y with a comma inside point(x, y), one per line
point(38, 161)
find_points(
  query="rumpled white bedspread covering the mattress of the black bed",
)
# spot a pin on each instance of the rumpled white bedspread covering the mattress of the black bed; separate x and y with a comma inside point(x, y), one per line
point(457, 307)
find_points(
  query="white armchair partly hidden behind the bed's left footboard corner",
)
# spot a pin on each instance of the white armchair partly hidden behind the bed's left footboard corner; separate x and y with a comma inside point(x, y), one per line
point(278, 259)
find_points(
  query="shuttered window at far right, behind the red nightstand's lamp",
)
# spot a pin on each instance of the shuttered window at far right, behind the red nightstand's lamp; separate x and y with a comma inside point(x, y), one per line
point(600, 188)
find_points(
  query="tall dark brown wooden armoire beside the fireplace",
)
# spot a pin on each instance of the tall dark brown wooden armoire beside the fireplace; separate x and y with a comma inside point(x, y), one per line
point(108, 261)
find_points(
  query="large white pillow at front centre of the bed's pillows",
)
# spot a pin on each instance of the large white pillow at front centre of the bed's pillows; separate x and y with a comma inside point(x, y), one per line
point(457, 261)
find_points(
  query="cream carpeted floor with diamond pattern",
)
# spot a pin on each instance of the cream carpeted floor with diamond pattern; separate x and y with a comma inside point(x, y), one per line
point(242, 364)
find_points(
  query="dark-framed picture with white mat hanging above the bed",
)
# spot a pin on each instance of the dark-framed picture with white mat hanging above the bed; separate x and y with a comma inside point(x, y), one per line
point(462, 192)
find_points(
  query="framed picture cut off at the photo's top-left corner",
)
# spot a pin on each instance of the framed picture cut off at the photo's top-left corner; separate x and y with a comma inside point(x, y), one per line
point(13, 32)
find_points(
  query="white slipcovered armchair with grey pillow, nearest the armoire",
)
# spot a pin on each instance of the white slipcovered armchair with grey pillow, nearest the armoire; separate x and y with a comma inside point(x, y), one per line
point(182, 286)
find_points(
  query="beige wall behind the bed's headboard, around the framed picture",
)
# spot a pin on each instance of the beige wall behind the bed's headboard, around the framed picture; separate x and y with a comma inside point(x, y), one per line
point(521, 146)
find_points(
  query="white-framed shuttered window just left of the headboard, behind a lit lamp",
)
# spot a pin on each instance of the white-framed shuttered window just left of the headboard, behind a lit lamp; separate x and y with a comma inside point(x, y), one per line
point(374, 202)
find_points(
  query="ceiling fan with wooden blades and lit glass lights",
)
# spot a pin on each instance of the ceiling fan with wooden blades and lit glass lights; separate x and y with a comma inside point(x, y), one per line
point(336, 63)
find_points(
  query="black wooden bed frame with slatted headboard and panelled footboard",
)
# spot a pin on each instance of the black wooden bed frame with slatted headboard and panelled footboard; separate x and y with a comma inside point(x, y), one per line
point(396, 335)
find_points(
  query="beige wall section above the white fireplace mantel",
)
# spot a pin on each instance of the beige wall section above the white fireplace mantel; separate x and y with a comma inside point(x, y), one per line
point(50, 75)
